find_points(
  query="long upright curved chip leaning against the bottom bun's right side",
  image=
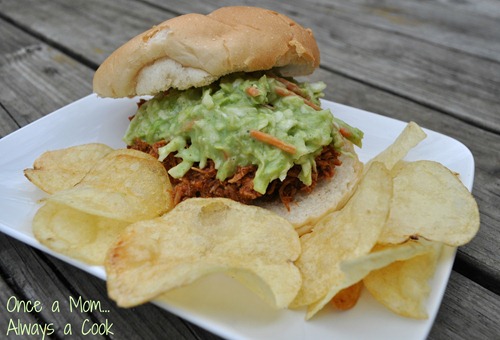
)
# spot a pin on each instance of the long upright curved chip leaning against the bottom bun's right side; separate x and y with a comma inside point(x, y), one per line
point(346, 234)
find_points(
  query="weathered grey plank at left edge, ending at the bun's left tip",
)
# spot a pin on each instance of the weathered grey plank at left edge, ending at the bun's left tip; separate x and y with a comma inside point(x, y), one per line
point(37, 79)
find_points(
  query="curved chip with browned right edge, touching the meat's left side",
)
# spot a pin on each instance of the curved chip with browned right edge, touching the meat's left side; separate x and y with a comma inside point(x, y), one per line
point(126, 185)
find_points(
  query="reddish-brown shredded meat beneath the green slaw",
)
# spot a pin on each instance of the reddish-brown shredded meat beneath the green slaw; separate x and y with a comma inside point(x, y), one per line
point(203, 182)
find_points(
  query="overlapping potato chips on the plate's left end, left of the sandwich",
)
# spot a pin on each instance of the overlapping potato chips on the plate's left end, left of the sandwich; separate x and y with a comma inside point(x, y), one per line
point(95, 193)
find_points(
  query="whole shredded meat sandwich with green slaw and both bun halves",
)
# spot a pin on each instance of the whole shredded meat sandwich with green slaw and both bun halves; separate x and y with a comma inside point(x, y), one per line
point(220, 106)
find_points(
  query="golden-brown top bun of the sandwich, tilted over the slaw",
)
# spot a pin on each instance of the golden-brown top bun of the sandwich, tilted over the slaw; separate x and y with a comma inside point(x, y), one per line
point(194, 50)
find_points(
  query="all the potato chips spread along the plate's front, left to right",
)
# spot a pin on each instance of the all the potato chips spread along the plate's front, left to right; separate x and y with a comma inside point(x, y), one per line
point(114, 207)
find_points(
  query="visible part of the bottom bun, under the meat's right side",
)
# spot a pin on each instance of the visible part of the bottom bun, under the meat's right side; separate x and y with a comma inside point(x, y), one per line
point(328, 196)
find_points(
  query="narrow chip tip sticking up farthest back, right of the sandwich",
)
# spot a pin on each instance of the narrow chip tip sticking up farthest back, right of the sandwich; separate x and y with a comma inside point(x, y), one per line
point(411, 135)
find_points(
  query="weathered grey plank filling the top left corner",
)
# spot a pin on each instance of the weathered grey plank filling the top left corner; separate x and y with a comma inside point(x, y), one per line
point(91, 30)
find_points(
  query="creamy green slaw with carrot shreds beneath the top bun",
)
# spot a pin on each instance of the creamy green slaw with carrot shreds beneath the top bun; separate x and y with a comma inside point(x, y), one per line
point(243, 119)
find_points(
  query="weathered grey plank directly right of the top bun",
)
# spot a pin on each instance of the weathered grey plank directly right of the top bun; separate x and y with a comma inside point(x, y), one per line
point(418, 71)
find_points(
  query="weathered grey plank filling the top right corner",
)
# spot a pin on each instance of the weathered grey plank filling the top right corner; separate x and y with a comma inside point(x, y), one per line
point(470, 27)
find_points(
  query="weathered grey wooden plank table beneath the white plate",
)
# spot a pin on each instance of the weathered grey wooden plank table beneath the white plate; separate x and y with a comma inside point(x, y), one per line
point(434, 62)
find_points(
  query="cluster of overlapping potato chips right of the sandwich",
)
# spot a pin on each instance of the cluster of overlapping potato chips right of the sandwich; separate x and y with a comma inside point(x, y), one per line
point(389, 235)
